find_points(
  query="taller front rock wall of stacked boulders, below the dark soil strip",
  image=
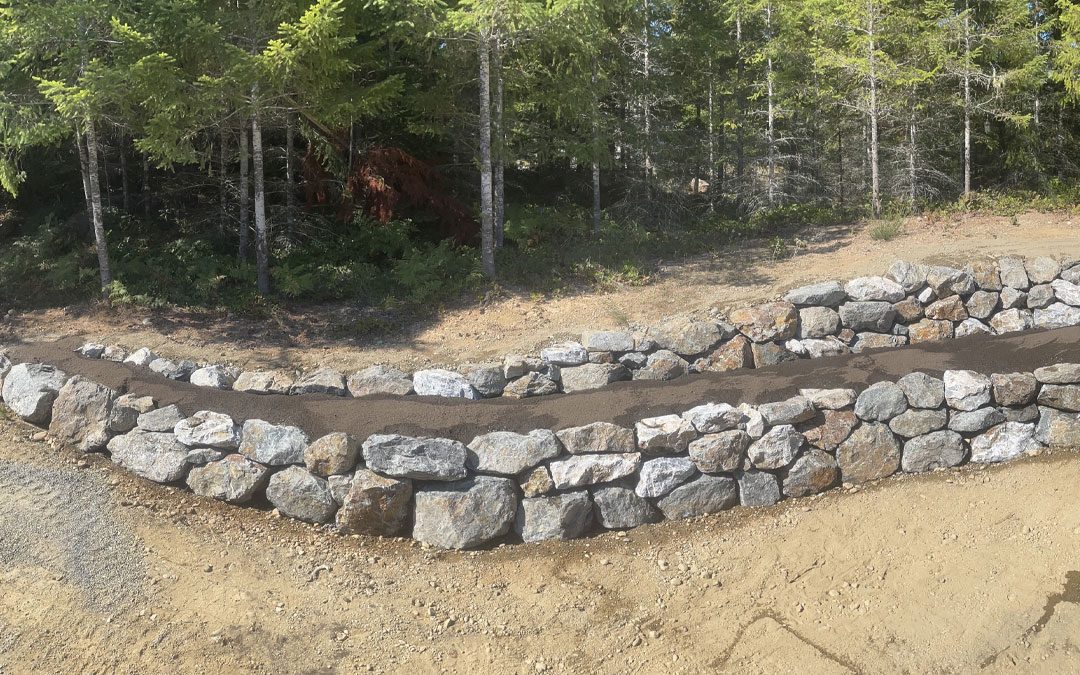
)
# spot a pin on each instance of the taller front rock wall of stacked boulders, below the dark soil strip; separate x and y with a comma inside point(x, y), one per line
point(561, 484)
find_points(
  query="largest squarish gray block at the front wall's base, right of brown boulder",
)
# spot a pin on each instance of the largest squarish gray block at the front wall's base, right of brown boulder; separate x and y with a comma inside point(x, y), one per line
point(465, 515)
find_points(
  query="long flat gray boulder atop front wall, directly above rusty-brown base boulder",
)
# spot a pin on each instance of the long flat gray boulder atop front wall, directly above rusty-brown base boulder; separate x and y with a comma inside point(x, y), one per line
point(424, 460)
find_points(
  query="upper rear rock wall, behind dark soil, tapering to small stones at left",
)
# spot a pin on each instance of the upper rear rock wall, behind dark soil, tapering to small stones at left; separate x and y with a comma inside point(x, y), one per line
point(910, 304)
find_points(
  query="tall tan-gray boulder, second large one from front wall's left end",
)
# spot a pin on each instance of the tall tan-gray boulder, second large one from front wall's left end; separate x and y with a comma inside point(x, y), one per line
point(83, 415)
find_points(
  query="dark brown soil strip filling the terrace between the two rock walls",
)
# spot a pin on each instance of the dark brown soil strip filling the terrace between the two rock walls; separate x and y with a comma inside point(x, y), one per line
point(623, 403)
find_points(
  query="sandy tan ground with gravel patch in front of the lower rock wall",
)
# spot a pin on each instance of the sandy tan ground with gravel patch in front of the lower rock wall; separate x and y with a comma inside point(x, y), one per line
point(961, 572)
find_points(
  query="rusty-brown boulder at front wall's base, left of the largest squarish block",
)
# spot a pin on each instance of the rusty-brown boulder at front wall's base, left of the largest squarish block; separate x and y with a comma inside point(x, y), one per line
point(375, 506)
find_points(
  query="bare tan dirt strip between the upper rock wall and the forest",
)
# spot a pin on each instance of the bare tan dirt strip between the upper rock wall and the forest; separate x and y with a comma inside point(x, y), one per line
point(305, 337)
